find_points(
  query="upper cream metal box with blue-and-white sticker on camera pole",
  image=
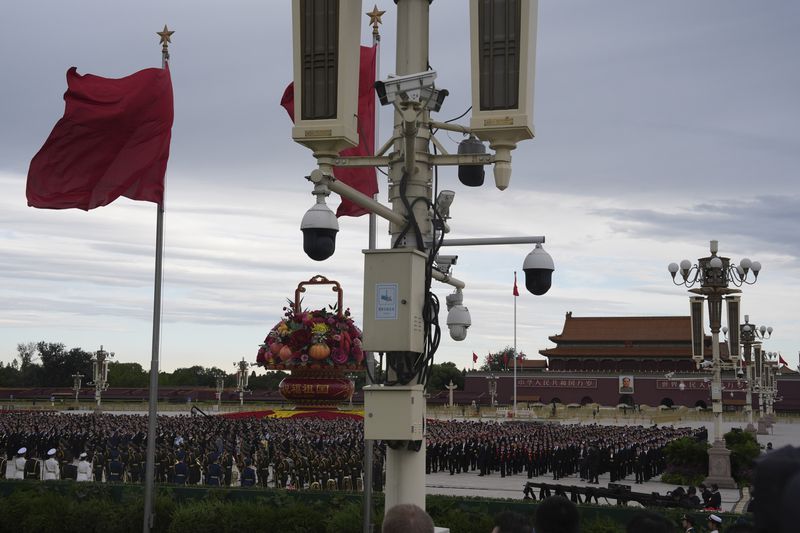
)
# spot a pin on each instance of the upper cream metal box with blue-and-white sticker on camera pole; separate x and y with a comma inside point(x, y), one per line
point(394, 294)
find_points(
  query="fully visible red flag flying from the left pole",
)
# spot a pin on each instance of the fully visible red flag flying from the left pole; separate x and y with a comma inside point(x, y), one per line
point(112, 141)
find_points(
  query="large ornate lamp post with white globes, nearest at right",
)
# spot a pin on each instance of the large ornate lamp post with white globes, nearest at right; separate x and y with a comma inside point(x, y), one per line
point(714, 274)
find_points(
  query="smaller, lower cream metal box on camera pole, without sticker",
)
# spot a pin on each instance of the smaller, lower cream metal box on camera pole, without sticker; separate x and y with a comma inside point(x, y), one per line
point(394, 413)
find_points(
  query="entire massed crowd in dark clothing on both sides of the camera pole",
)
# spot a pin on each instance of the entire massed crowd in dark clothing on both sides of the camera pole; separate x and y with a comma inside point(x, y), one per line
point(313, 453)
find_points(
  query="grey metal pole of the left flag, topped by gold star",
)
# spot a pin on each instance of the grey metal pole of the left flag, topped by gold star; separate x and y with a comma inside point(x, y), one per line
point(152, 416)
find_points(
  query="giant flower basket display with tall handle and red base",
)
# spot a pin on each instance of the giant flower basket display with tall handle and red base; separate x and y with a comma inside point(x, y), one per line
point(317, 347)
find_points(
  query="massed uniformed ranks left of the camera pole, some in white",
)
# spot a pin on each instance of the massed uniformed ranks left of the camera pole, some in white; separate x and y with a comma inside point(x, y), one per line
point(293, 453)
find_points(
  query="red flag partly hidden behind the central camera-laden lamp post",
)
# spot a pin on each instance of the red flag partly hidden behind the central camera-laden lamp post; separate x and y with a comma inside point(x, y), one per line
point(363, 179)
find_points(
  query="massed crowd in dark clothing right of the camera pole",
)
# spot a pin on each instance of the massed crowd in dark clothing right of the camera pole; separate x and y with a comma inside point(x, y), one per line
point(538, 449)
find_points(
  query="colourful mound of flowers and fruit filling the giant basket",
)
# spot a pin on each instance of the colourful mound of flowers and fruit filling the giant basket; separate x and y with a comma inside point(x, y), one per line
point(316, 339)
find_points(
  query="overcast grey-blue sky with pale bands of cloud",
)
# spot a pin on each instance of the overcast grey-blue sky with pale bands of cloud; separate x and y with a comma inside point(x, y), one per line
point(659, 126)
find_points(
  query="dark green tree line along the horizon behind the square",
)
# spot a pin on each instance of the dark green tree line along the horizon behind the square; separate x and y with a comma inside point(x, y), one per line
point(52, 364)
